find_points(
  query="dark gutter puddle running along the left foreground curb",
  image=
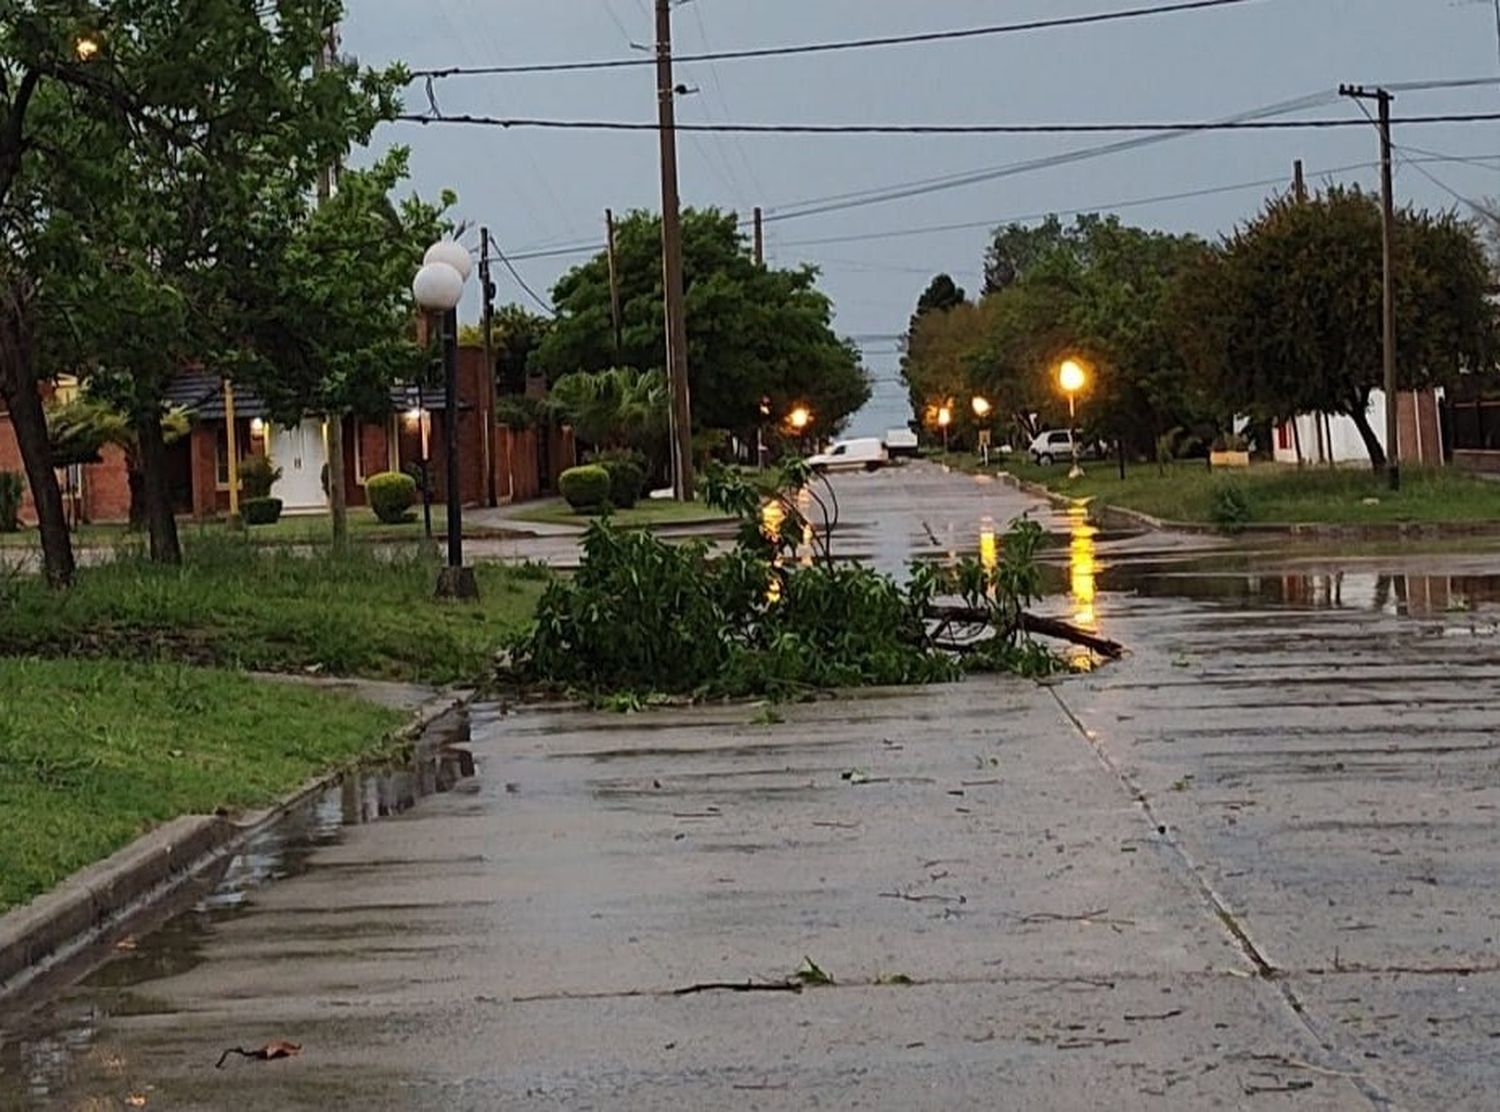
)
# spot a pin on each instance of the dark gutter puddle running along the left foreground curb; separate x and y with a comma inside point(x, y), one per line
point(49, 1033)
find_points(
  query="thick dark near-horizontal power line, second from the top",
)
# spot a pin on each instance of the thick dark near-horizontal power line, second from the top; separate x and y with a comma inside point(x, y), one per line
point(1135, 127)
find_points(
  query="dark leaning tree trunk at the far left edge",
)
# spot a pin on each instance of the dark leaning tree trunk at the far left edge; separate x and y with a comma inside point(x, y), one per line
point(19, 388)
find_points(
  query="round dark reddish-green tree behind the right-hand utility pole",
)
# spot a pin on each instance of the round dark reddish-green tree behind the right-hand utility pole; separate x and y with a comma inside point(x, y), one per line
point(1286, 317)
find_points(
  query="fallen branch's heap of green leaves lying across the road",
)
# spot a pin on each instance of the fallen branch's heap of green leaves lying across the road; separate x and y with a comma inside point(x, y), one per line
point(646, 616)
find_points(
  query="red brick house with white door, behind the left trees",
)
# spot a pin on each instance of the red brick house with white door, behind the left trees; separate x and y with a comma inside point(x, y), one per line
point(500, 467)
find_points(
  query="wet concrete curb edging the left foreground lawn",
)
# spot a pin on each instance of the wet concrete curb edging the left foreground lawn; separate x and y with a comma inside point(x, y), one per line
point(106, 895)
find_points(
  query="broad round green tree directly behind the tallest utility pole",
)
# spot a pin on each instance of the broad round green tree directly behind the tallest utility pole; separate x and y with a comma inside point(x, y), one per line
point(752, 331)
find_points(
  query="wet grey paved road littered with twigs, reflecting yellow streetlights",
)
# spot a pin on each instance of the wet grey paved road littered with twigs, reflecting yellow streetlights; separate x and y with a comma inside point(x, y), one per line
point(1250, 867)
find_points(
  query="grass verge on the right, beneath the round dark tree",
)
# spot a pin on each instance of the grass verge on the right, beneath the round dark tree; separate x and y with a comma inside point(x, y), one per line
point(1280, 494)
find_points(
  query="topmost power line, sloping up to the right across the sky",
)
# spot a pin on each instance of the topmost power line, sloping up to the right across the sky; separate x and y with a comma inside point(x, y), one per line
point(842, 44)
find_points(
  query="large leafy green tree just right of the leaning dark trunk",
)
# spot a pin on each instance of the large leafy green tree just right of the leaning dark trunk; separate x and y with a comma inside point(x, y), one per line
point(199, 155)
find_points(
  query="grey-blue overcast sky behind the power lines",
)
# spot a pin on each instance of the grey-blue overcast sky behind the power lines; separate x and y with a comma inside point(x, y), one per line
point(542, 190)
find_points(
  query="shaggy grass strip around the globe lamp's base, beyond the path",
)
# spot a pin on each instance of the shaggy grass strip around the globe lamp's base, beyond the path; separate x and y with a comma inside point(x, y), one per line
point(241, 607)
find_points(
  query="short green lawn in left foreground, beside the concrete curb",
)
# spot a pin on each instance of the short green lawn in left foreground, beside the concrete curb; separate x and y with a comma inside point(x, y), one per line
point(97, 753)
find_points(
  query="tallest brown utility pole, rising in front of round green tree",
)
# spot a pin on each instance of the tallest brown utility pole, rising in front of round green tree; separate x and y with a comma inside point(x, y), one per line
point(673, 262)
